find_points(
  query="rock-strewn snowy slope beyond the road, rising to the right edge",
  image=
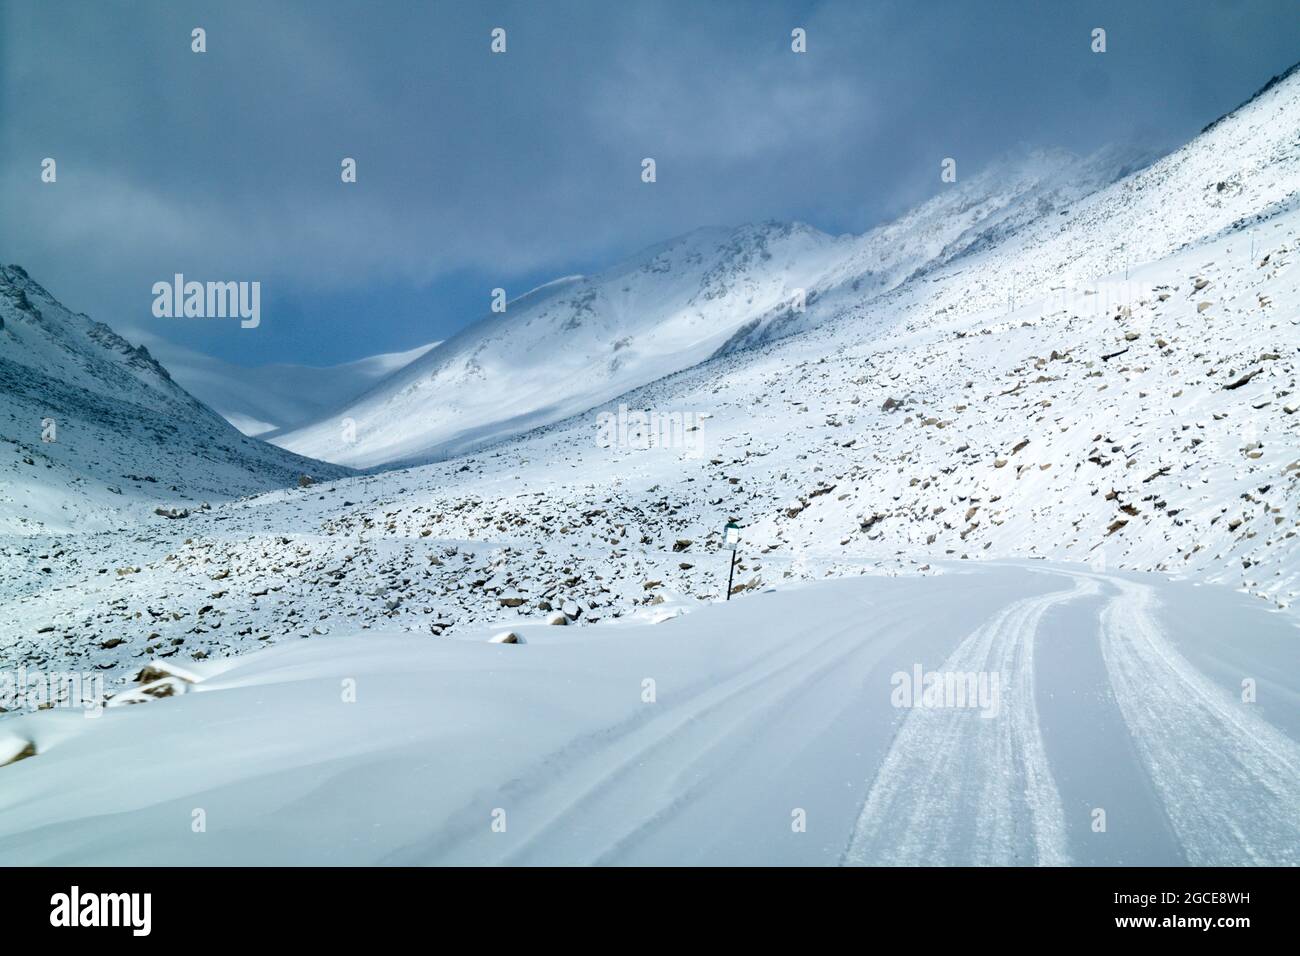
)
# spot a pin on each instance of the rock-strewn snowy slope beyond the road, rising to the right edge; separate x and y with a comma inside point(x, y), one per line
point(1146, 426)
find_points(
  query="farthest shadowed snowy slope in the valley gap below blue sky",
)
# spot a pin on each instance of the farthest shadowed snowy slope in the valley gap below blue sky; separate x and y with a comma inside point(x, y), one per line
point(263, 400)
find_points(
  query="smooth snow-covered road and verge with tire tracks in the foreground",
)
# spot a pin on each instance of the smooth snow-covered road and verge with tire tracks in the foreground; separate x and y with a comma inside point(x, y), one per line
point(1111, 729)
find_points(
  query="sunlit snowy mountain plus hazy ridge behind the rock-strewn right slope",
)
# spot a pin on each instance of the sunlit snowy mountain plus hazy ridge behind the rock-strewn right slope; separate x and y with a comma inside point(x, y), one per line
point(582, 341)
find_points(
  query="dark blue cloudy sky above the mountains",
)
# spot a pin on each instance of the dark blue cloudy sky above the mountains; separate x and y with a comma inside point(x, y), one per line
point(480, 171)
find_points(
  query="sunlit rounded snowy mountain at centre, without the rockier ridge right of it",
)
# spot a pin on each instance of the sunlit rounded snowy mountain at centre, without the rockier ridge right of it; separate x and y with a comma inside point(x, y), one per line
point(577, 343)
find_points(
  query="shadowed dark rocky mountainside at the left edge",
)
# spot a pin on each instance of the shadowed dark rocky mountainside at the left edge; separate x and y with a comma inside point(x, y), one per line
point(125, 435)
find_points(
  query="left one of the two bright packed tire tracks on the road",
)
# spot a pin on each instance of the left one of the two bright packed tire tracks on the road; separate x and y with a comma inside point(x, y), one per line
point(961, 789)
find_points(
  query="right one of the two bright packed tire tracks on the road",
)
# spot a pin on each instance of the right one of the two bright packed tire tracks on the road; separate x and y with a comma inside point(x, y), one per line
point(1230, 781)
